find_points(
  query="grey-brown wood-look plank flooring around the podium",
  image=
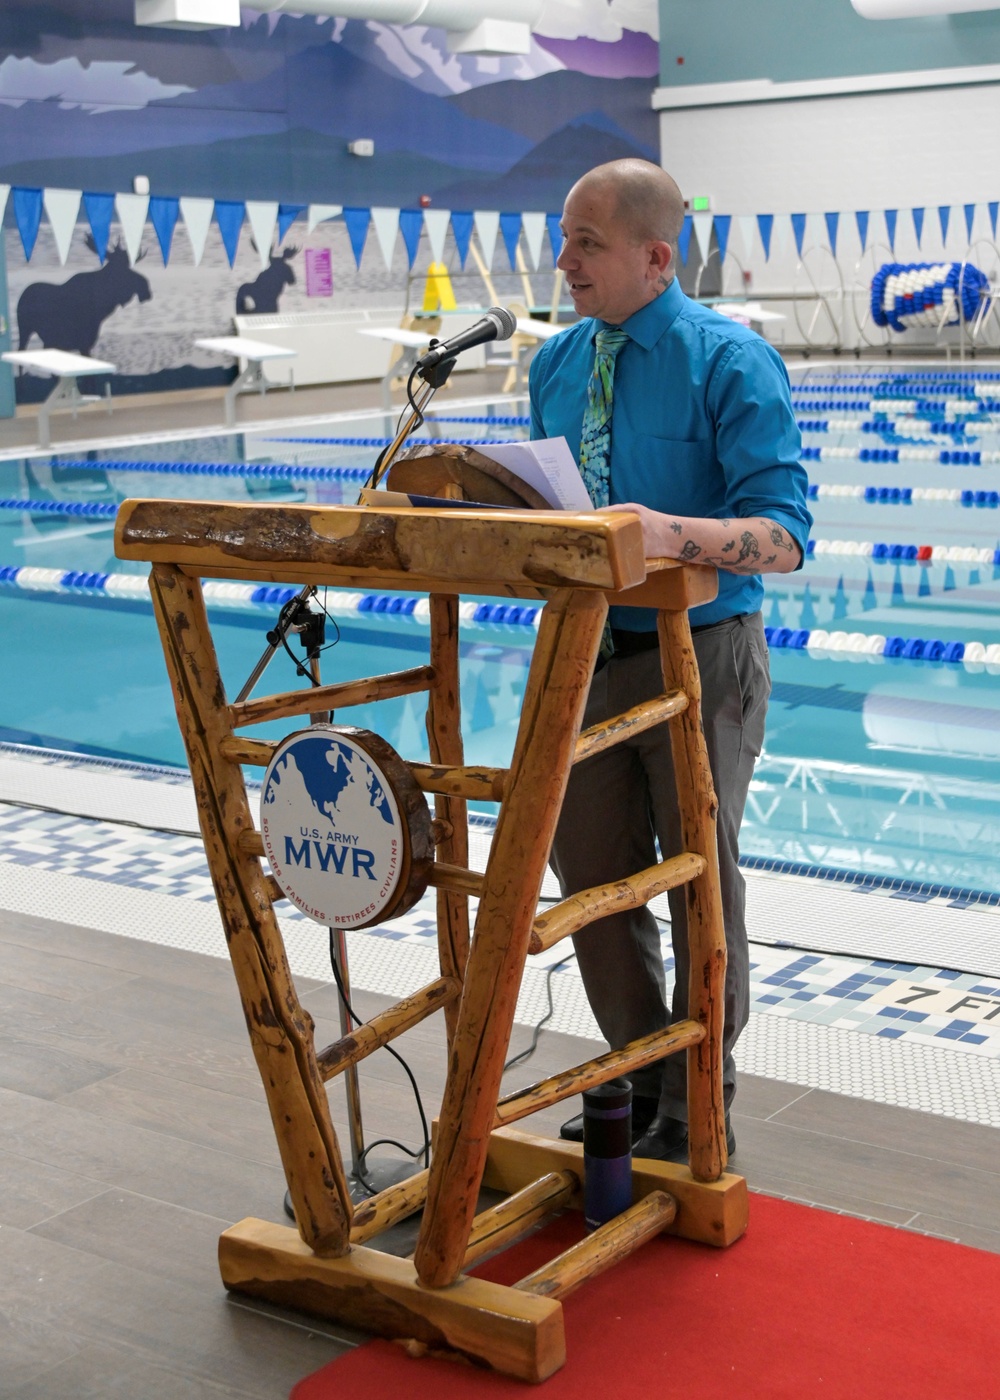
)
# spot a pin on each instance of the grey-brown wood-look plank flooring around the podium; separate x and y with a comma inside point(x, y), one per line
point(134, 1130)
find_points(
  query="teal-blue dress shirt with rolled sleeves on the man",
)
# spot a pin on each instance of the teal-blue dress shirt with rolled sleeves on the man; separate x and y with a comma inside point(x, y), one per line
point(702, 426)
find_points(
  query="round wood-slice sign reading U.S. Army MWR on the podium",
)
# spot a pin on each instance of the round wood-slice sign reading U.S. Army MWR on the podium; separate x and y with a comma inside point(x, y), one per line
point(333, 828)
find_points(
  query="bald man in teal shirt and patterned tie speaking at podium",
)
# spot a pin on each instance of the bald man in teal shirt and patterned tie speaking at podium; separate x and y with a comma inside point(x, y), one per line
point(684, 418)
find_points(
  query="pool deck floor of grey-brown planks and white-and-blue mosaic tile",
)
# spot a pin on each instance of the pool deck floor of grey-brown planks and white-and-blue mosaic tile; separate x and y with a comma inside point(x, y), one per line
point(134, 1125)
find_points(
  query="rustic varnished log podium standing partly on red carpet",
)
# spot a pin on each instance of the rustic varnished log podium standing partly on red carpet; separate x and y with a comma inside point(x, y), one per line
point(578, 565)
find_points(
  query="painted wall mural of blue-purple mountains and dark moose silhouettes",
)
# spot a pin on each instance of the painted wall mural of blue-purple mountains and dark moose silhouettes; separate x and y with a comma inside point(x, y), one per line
point(267, 111)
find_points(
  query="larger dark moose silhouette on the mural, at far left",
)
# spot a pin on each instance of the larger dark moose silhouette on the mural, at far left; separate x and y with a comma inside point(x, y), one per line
point(69, 316)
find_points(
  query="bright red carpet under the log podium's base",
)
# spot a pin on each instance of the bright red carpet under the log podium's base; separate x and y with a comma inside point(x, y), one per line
point(807, 1305)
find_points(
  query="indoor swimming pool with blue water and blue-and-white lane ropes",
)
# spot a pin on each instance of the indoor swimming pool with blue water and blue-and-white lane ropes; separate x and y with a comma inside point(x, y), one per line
point(882, 758)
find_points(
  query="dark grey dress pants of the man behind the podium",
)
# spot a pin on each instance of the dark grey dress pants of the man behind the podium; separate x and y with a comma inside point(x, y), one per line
point(620, 803)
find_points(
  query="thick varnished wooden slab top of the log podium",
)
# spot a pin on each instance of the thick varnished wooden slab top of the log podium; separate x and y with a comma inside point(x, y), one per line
point(508, 554)
